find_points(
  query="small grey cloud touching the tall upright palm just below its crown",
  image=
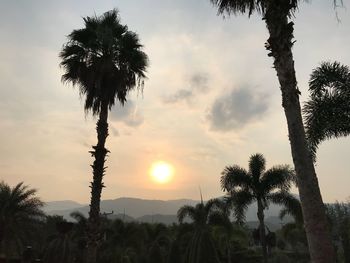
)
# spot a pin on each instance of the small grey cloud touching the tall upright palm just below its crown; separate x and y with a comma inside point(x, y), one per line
point(127, 114)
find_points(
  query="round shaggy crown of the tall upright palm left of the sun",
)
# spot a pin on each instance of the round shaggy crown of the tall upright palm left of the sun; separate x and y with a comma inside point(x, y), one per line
point(104, 60)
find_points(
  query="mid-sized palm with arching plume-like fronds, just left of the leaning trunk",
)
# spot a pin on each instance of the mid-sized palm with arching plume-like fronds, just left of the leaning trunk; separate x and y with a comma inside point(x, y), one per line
point(258, 185)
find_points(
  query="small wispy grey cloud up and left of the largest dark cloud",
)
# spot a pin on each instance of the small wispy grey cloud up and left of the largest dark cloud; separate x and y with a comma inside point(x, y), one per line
point(197, 83)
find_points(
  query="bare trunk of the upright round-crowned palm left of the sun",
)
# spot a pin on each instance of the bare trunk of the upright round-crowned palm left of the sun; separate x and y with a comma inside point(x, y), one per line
point(99, 152)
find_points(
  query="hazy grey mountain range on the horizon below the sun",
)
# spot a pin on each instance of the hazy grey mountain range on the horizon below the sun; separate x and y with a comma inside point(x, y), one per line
point(156, 211)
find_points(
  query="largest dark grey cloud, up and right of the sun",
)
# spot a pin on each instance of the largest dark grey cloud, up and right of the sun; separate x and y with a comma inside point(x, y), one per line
point(237, 109)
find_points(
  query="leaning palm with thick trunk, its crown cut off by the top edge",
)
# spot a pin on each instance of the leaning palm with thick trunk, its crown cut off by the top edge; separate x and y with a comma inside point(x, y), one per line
point(277, 16)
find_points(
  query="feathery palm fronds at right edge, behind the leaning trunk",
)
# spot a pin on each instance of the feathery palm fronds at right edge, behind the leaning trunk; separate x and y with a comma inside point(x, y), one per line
point(327, 112)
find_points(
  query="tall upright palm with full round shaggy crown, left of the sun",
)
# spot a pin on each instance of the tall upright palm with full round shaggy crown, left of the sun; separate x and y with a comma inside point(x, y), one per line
point(105, 60)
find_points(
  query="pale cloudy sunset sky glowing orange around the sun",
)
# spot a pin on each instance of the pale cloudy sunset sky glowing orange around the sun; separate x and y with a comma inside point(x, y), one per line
point(211, 99)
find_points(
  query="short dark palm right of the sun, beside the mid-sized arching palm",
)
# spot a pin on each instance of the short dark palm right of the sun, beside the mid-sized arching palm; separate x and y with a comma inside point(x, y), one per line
point(201, 247)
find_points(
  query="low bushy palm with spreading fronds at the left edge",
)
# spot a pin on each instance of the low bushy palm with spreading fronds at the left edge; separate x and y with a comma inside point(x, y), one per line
point(20, 216)
